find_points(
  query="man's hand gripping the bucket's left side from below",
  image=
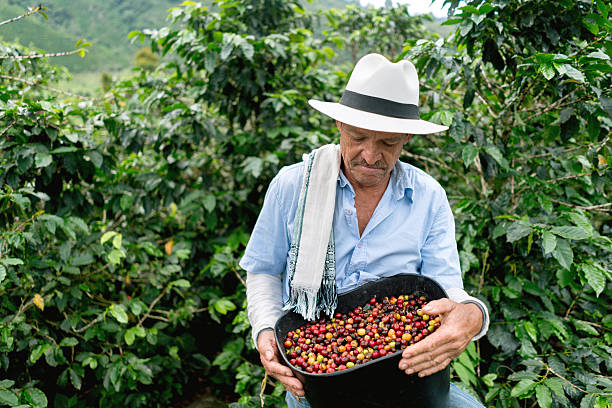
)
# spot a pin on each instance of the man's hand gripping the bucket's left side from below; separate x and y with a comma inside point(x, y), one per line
point(268, 353)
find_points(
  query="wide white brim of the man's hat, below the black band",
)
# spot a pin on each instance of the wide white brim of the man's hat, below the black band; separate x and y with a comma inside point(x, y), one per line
point(373, 121)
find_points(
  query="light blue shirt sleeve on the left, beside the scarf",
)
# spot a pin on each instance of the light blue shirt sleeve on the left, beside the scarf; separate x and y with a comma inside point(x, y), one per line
point(268, 246)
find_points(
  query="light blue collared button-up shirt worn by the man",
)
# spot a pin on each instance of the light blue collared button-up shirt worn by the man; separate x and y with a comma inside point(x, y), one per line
point(412, 230)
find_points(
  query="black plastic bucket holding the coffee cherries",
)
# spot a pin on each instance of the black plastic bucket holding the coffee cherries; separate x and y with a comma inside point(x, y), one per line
point(377, 383)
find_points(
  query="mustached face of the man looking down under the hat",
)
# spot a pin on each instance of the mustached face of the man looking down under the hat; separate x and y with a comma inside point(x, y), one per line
point(369, 156)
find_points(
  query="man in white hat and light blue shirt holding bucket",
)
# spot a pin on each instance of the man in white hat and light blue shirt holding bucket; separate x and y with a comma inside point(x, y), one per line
point(388, 218)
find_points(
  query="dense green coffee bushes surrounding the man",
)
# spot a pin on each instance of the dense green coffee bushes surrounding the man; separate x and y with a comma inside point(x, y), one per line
point(122, 218)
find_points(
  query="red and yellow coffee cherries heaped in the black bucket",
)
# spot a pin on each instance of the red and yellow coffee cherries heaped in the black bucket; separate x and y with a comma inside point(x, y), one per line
point(364, 334)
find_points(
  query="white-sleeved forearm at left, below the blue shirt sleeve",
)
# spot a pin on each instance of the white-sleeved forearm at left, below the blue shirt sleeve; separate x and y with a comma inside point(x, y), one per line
point(264, 301)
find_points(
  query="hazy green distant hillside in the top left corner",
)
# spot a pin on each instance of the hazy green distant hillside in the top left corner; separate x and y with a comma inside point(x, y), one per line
point(105, 24)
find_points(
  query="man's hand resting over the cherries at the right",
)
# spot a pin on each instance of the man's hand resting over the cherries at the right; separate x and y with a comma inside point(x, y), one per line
point(459, 324)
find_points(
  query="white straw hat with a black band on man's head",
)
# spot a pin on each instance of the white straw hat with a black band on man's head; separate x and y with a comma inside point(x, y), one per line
point(381, 96)
